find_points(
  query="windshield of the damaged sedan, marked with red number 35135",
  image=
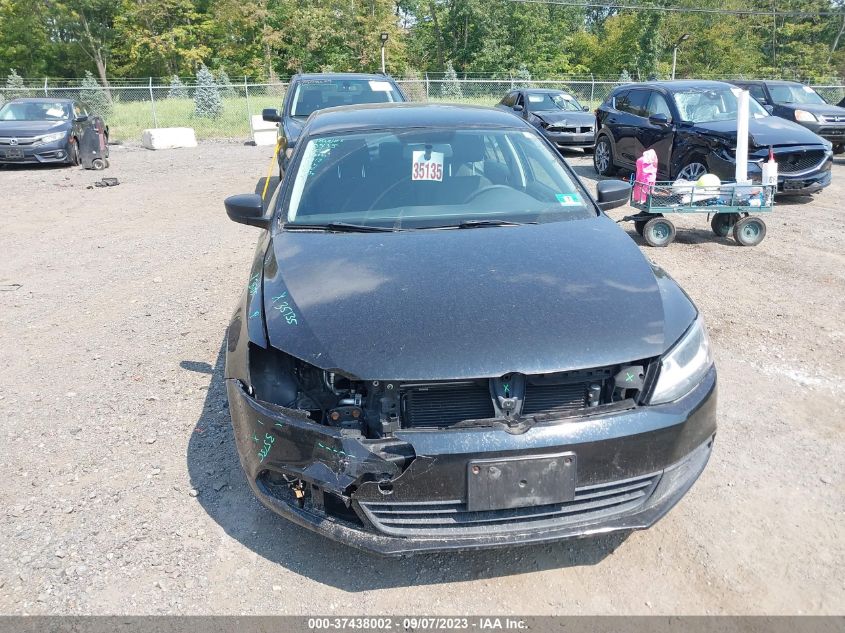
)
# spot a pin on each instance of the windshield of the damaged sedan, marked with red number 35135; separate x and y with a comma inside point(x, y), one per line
point(426, 178)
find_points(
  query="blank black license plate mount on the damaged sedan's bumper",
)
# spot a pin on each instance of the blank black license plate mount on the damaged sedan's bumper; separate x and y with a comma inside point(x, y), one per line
point(517, 482)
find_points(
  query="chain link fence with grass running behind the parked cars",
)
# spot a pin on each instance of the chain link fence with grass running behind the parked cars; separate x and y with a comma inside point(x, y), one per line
point(129, 106)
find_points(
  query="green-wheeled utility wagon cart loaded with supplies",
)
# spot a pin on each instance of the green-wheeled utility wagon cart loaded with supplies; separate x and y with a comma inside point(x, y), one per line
point(731, 206)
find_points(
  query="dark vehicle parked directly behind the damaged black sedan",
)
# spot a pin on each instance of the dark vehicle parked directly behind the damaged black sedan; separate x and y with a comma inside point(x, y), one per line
point(310, 92)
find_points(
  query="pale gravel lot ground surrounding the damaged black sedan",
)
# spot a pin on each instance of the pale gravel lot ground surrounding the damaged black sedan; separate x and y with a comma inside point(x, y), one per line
point(122, 492)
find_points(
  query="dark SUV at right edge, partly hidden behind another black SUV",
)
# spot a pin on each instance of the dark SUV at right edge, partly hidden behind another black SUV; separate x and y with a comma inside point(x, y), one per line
point(797, 102)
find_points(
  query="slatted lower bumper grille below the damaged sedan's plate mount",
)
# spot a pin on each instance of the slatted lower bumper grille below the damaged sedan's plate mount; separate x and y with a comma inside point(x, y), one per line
point(451, 518)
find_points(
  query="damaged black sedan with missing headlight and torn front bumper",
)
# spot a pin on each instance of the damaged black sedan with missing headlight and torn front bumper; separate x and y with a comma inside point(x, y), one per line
point(444, 343)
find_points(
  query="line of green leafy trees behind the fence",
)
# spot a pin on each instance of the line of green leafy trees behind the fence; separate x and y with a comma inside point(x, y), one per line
point(267, 39)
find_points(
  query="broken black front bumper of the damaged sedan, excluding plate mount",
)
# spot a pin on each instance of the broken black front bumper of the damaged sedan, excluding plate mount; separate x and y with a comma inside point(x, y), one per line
point(407, 494)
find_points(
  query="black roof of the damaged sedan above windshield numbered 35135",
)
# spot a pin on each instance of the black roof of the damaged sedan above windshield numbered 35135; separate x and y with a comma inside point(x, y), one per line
point(381, 116)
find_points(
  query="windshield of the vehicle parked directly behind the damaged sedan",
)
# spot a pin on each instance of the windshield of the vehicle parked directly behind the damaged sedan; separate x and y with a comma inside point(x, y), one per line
point(311, 95)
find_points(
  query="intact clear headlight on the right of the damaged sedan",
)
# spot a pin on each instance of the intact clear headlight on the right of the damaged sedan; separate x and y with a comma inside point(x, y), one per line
point(684, 366)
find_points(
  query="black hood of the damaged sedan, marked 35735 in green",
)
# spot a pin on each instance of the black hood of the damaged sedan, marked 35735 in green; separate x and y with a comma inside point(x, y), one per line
point(449, 304)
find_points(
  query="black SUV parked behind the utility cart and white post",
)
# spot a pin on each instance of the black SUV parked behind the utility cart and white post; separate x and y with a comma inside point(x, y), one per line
point(691, 125)
